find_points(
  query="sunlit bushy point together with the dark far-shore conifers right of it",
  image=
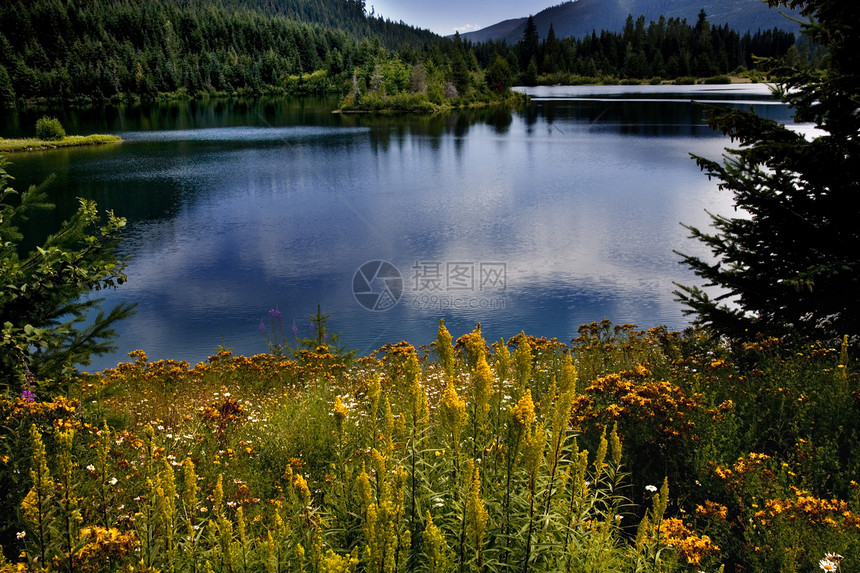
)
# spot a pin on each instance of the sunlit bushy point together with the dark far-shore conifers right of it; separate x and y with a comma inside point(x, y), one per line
point(458, 72)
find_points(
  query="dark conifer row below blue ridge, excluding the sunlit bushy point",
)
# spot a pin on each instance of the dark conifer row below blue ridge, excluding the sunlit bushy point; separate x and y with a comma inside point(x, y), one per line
point(667, 49)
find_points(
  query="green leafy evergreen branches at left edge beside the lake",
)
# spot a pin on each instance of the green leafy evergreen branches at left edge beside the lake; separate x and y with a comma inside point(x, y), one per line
point(46, 324)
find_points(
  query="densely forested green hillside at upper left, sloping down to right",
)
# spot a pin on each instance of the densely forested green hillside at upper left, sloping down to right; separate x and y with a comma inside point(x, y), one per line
point(68, 49)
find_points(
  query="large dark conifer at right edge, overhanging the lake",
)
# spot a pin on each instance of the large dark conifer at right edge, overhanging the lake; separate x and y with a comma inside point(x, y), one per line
point(789, 263)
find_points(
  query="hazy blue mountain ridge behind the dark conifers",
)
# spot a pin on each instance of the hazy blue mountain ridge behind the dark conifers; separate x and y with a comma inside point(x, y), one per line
point(579, 18)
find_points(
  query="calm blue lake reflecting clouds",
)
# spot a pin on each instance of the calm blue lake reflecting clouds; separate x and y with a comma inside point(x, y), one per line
point(536, 220)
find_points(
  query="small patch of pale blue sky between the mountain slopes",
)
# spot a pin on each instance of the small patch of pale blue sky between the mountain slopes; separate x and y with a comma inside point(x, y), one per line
point(447, 16)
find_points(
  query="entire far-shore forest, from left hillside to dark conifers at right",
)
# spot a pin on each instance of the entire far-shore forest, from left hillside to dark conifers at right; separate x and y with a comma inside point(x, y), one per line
point(69, 50)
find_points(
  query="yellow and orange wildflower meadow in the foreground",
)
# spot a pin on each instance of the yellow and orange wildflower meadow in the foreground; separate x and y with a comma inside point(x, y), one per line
point(621, 450)
